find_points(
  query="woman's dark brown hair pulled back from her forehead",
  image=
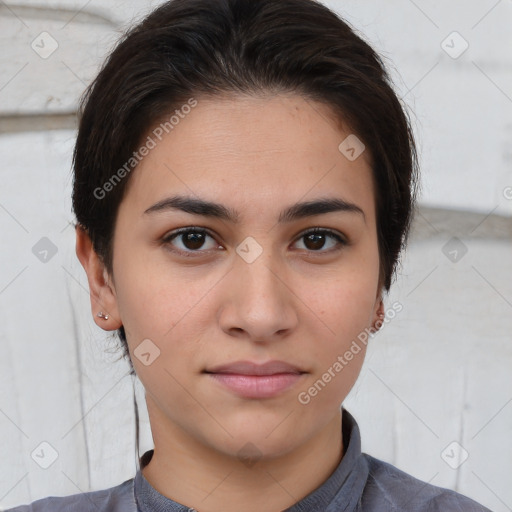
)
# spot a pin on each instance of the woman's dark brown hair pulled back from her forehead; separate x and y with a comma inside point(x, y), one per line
point(198, 48)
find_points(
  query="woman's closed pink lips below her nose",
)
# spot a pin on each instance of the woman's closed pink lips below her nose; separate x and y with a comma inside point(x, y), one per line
point(252, 380)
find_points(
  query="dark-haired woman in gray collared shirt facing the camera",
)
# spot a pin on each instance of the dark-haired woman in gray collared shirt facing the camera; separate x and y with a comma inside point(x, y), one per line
point(244, 182)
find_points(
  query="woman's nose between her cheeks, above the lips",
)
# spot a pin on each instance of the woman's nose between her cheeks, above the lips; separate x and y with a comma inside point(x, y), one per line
point(258, 304)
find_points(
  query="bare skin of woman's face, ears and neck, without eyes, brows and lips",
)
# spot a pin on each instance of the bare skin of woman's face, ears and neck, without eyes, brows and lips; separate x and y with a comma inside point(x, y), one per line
point(299, 302)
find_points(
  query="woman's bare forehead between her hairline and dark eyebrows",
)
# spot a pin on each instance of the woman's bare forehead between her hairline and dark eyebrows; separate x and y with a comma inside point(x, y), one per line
point(251, 152)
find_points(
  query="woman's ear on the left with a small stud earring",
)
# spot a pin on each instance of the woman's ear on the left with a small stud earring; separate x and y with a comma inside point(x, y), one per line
point(102, 292)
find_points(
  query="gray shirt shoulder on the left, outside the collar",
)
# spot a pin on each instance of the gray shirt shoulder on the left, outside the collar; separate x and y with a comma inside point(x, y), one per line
point(114, 499)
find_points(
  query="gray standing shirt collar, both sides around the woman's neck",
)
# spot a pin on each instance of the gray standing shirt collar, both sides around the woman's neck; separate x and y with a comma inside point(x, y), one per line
point(340, 492)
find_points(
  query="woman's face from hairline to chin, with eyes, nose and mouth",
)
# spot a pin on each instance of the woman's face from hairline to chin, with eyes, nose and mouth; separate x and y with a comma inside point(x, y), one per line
point(250, 278)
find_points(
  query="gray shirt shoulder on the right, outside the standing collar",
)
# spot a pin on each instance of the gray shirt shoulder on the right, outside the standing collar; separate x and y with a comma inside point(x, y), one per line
point(402, 492)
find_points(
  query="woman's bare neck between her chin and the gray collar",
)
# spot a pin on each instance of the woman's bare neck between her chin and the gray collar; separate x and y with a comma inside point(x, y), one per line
point(198, 476)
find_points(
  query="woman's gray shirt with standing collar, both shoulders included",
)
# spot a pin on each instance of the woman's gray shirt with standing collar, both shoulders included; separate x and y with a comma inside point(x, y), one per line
point(360, 483)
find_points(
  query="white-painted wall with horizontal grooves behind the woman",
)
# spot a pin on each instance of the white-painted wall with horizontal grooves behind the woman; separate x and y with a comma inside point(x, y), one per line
point(439, 372)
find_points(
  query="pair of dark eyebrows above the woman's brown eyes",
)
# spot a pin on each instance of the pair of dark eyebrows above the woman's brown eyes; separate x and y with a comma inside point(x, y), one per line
point(297, 211)
